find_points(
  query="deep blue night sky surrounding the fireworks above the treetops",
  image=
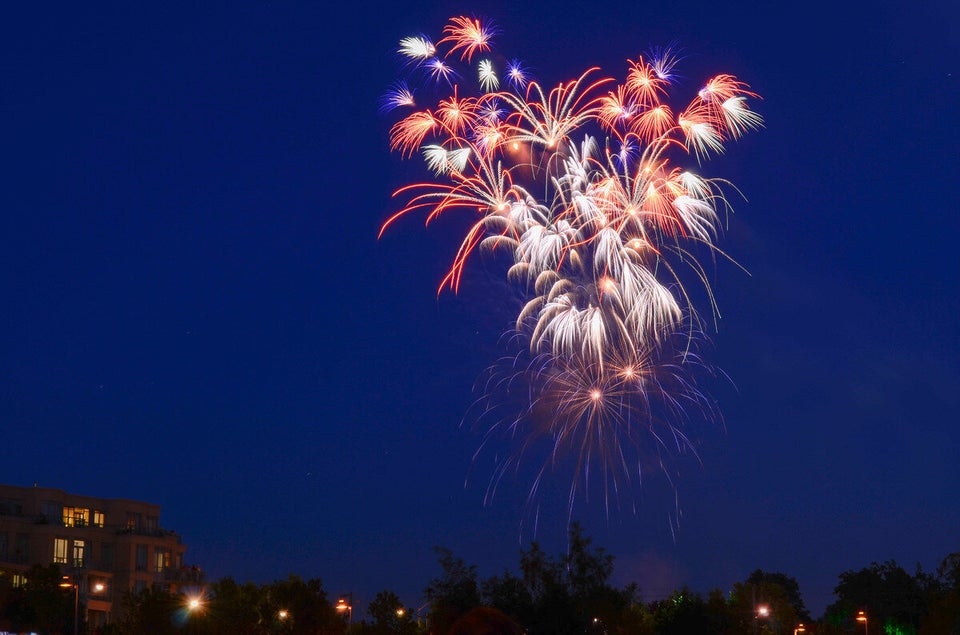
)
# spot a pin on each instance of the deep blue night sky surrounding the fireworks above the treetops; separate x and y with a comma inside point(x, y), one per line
point(198, 312)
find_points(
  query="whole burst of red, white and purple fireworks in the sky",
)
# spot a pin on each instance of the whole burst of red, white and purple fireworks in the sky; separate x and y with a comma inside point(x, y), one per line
point(578, 185)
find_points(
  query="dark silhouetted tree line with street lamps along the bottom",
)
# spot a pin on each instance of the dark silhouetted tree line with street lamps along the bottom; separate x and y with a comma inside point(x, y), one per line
point(557, 595)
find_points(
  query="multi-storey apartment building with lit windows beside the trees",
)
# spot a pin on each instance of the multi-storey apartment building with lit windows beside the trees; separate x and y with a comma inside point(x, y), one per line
point(109, 546)
